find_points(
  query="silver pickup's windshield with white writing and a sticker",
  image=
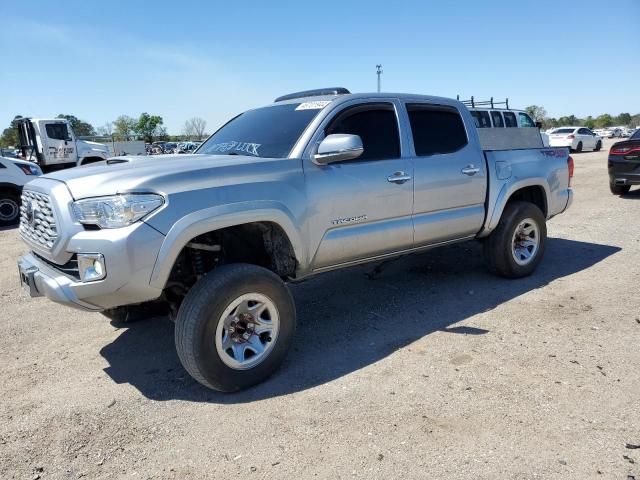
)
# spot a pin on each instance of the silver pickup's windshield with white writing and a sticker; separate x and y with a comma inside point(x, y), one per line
point(269, 132)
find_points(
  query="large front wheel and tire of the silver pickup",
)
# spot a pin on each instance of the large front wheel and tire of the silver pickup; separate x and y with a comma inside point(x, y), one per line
point(225, 339)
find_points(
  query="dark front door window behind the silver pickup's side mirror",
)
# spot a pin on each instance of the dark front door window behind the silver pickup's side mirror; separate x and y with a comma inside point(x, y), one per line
point(377, 126)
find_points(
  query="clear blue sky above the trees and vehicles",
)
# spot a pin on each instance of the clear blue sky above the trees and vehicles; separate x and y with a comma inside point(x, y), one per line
point(215, 59)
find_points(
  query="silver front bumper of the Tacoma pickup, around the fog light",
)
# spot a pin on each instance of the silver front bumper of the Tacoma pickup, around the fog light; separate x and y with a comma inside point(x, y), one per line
point(129, 256)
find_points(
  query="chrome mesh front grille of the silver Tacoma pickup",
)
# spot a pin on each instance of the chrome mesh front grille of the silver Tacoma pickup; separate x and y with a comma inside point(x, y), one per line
point(37, 219)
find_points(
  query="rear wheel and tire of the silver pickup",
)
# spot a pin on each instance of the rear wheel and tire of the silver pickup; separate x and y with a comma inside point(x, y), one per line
point(516, 247)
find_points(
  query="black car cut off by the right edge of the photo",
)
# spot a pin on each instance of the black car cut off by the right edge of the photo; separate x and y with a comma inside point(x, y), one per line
point(624, 164)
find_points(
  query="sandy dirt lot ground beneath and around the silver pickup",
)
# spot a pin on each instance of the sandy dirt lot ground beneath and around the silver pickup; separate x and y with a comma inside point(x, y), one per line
point(436, 369)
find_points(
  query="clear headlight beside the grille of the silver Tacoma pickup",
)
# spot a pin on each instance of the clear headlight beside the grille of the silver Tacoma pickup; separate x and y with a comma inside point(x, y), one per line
point(116, 211)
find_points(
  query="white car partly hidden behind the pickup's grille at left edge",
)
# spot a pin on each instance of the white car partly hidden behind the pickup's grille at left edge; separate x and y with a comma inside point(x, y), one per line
point(14, 174)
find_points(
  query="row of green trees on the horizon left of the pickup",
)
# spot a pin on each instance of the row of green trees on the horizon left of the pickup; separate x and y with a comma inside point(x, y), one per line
point(146, 126)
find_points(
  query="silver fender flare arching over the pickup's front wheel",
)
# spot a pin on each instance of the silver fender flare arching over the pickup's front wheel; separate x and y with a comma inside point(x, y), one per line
point(219, 217)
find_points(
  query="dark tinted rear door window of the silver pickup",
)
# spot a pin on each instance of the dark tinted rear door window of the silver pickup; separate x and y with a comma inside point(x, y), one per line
point(436, 130)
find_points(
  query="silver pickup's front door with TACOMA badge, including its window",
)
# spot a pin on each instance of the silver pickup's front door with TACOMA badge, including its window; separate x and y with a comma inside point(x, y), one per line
point(361, 208)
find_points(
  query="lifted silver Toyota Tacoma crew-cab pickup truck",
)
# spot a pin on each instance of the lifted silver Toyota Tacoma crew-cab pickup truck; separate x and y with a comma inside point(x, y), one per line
point(314, 182)
